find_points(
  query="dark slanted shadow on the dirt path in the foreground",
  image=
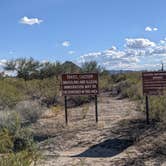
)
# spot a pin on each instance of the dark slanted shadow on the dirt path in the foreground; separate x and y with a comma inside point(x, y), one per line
point(108, 148)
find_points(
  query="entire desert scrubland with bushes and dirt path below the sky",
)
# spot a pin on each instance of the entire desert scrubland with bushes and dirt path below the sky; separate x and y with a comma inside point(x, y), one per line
point(32, 124)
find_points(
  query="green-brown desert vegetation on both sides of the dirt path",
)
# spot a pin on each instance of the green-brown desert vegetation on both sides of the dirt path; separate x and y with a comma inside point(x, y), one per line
point(34, 87)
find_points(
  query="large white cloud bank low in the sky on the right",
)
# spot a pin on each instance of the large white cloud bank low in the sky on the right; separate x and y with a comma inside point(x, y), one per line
point(138, 54)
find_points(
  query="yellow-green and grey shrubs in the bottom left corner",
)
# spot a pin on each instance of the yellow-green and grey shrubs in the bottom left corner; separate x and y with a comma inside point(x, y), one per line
point(16, 143)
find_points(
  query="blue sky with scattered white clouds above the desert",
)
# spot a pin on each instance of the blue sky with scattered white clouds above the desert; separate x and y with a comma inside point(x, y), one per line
point(118, 34)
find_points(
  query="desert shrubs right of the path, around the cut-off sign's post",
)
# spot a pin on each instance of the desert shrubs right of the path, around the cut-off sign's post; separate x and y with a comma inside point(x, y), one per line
point(130, 86)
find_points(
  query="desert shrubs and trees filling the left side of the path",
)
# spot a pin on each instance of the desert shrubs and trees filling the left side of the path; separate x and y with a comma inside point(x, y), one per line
point(24, 96)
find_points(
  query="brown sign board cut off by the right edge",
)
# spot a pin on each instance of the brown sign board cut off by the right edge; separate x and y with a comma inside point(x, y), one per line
point(154, 83)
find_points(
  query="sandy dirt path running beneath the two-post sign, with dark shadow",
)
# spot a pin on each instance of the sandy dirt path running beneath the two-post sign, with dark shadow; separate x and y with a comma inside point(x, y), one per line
point(113, 141)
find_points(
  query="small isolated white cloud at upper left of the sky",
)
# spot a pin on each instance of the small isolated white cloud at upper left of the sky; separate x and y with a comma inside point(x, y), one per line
point(30, 21)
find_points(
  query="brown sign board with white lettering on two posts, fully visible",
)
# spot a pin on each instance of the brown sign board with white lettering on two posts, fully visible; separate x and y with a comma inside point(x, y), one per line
point(80, 84)
